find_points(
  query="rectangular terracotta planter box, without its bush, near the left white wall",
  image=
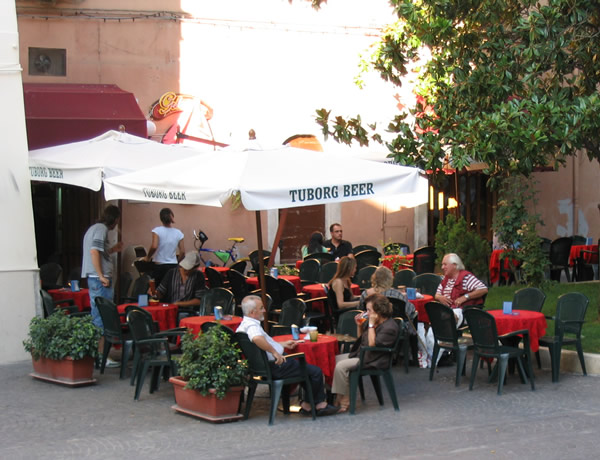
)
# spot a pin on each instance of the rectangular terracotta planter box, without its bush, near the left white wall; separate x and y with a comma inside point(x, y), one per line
point(68, 371)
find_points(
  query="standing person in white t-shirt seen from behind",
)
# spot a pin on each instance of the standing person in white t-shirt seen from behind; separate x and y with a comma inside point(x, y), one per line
point(166, 240)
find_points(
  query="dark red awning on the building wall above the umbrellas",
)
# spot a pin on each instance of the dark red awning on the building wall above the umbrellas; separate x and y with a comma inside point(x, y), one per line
point(62, 113)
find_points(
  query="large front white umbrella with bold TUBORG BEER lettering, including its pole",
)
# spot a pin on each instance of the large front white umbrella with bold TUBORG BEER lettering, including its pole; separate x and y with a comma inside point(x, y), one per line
point(282, 178)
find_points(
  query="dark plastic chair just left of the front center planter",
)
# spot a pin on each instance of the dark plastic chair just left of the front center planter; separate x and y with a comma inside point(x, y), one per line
point(151, 351)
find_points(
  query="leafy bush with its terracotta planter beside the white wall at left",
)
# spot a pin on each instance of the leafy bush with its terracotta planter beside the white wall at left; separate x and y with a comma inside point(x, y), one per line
point(63, 348)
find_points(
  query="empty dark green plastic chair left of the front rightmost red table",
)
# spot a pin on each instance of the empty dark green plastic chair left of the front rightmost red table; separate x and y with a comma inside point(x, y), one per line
point(486, 344)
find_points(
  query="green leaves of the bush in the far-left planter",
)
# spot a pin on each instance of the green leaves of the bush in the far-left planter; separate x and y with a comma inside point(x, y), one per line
point(60, 335)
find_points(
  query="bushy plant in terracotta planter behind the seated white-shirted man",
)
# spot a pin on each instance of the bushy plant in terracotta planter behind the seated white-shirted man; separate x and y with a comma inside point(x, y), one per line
point(211, 377)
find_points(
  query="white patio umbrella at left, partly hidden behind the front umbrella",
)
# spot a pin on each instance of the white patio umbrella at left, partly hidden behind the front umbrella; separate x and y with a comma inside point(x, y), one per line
point(87, 163)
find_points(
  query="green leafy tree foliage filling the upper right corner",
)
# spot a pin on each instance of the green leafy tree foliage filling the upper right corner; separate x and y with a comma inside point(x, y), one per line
point(511, 83)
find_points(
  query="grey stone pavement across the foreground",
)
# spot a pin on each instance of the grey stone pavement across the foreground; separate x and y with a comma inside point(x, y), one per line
point(436, 420)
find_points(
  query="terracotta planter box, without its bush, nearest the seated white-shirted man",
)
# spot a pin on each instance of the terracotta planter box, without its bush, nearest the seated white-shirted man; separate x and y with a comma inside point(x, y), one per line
point(208, 407)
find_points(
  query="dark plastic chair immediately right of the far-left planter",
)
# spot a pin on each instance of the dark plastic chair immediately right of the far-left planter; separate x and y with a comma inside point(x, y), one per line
point(115, 333)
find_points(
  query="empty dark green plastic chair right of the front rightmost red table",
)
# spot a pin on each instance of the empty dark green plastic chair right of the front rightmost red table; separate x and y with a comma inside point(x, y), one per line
point(569, 319)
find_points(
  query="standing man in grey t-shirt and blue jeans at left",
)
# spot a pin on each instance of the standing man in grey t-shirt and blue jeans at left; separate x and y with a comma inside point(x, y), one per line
point(97, 265)
